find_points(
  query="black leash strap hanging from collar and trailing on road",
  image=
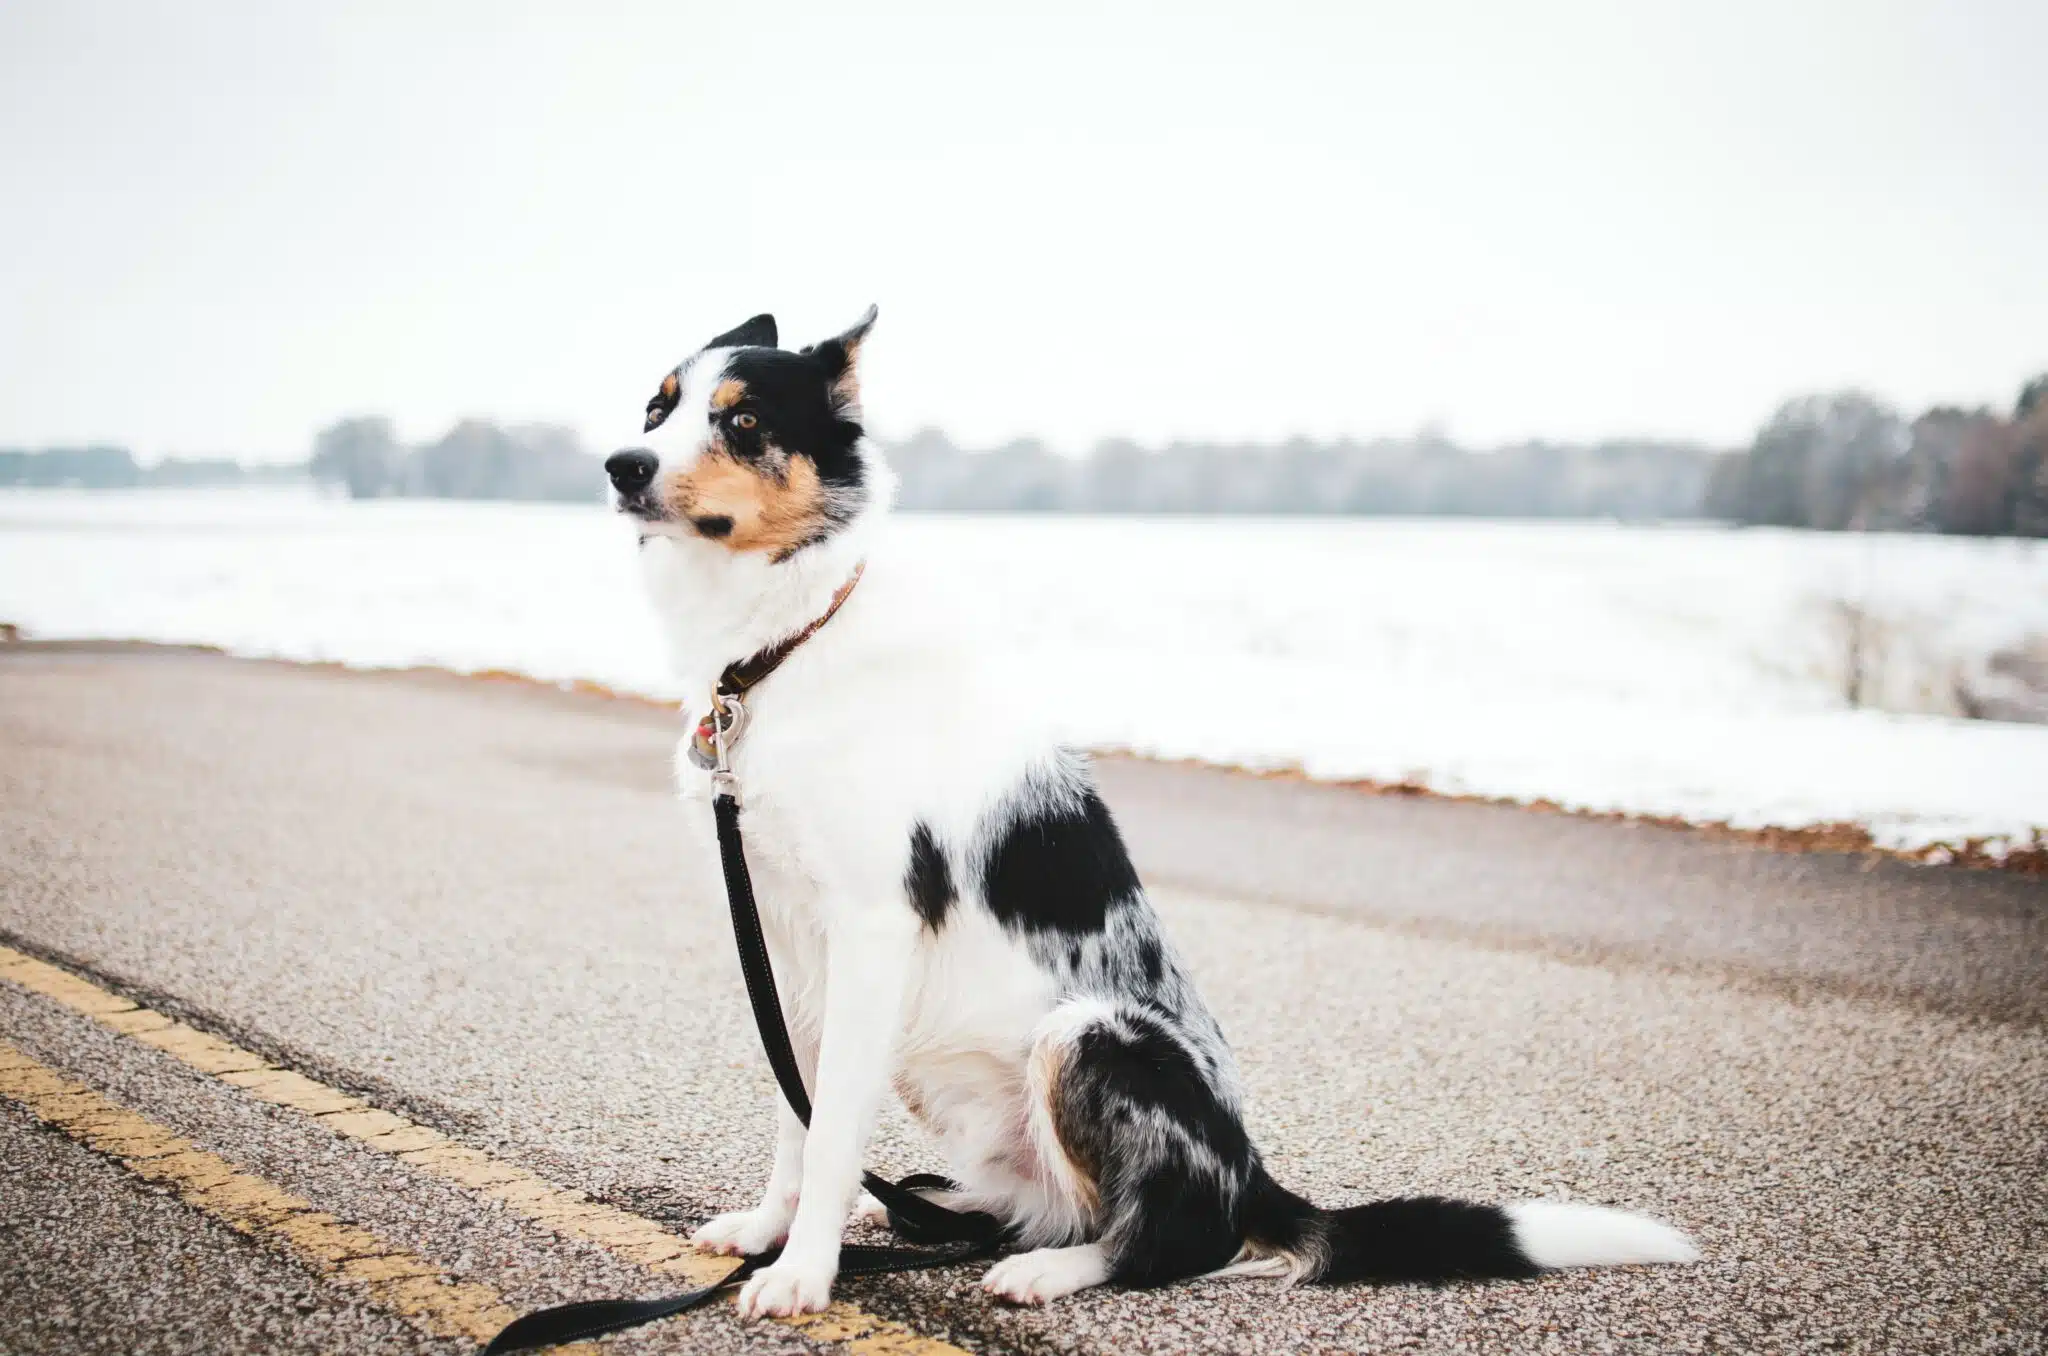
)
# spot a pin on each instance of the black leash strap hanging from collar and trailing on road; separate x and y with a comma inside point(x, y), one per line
point(949, 1236)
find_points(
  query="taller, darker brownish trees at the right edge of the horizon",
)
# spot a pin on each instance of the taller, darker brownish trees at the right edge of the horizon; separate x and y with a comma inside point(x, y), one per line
point(1850, 462)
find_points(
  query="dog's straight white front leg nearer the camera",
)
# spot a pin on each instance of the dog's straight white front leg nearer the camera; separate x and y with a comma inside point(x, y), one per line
point(867, 968)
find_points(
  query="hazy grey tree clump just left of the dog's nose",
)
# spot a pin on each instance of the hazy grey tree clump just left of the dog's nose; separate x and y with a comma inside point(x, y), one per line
point(472, 462)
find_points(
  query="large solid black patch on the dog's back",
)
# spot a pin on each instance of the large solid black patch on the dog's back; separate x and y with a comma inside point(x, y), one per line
point(1058, 870)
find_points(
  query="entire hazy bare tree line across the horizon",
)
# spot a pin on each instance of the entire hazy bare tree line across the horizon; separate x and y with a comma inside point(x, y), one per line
point(1836, 462)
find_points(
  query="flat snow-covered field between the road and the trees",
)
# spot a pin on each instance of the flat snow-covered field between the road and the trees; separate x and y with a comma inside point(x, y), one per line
point(1691, 673)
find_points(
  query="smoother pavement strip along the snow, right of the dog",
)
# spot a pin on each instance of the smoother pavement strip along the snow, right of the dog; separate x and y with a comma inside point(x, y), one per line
point(1605, 892)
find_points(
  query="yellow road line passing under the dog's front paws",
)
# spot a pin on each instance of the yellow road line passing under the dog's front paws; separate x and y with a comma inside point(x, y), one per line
point(564, 1212)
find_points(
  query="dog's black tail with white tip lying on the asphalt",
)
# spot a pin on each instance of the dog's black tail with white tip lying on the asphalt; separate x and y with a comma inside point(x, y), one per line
point(1433, 1238)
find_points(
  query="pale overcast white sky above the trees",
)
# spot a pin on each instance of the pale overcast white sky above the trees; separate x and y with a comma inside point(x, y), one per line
point(228, 224)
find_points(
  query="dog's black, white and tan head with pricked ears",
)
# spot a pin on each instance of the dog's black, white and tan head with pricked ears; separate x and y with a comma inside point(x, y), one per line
point(753, 448)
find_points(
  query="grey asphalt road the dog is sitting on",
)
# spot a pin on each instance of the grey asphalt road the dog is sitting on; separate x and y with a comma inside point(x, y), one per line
point(470, 904)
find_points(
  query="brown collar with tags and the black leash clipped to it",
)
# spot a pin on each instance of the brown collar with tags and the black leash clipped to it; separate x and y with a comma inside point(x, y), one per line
point(945, 1236)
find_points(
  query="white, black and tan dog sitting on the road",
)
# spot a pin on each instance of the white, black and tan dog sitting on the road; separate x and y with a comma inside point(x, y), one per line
point(951, 910)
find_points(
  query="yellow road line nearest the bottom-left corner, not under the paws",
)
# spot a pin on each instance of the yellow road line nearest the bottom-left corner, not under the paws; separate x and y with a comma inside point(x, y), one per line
point(392, 1277)
